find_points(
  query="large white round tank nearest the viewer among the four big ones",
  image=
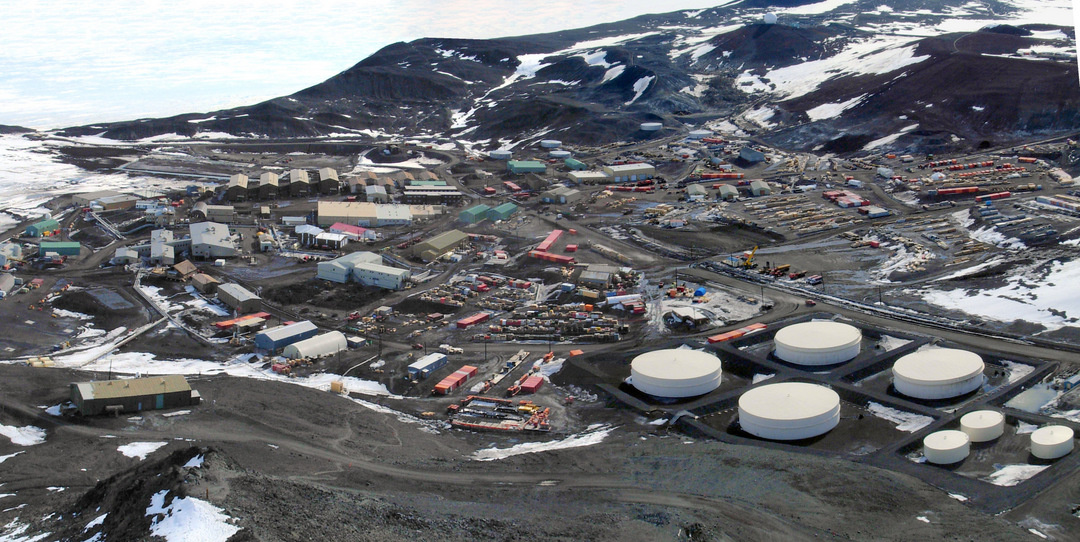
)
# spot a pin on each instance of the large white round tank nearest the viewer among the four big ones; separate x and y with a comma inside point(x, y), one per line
point(789, 411)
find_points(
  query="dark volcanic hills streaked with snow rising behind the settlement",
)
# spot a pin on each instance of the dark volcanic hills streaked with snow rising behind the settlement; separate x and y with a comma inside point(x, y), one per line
point(836, 80)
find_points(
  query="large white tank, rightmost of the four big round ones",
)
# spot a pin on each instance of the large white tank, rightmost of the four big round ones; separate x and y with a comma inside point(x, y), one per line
point(938, 374)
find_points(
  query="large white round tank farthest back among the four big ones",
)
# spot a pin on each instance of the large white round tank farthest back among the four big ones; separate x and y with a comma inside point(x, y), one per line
point(818, 343)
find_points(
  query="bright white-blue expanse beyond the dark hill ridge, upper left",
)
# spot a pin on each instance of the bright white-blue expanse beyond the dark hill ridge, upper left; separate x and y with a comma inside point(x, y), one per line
point(67, 63)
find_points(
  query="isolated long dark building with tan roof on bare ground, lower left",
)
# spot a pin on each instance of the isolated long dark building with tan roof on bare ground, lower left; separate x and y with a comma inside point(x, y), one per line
point(133, 396)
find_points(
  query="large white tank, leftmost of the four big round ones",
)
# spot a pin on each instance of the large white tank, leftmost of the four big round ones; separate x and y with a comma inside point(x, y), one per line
point(676, 374)
